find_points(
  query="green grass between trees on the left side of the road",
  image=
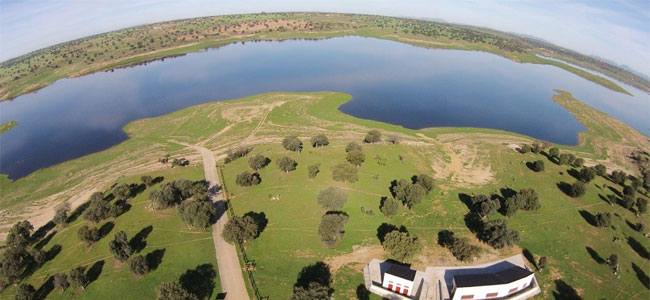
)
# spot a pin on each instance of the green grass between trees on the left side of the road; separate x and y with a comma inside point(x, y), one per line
point(178, 248)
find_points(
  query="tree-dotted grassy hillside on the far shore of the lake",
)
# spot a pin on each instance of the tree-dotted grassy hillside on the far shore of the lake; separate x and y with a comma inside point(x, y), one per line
point(154, 41)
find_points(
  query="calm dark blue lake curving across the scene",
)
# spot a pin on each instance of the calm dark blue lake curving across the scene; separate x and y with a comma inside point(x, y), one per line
point(389, 81)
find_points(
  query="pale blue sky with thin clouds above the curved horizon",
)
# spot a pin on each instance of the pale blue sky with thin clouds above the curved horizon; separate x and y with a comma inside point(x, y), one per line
point(618, 30)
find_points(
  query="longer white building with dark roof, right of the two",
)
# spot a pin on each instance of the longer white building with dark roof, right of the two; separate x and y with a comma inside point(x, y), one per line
point(504, 283)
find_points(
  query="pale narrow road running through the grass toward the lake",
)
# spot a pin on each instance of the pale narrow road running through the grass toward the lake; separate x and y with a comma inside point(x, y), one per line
point(230, 272)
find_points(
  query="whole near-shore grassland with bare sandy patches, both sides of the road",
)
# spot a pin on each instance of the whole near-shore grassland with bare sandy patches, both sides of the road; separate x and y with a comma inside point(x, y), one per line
point(462, 161)
